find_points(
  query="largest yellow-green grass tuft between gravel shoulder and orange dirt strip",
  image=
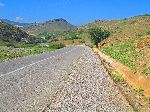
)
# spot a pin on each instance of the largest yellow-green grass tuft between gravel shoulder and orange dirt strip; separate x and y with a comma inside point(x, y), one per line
point(117, 77)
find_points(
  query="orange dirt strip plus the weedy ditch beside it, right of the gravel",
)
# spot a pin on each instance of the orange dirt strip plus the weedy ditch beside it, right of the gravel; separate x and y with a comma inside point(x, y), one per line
point(134, 82)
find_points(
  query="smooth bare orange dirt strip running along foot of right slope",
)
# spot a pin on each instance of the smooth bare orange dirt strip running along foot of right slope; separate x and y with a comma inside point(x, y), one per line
point(135, 80)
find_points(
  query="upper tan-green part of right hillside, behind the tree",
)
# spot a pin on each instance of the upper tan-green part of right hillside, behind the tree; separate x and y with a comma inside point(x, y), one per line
point(123, 29)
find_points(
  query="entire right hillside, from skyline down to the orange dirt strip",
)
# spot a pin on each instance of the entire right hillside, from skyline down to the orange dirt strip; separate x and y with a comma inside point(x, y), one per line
point(129, 41)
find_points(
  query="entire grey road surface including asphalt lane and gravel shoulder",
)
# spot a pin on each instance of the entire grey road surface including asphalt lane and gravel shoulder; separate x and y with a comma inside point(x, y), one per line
point(68, 80)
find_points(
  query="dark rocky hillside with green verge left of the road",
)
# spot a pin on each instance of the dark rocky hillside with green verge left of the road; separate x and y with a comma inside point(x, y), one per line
point(16, 43)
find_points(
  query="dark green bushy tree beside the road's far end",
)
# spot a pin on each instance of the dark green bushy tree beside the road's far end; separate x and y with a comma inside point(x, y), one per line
point(98, 35)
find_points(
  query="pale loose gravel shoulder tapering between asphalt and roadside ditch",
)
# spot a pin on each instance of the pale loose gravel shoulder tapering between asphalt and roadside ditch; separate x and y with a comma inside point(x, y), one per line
point(88, 89)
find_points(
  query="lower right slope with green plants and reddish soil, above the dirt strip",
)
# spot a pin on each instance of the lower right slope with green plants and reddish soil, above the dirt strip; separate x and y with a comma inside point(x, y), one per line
point(133, 52)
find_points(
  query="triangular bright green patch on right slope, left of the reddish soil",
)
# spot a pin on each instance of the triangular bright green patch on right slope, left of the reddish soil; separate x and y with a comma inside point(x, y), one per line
point(125, 52)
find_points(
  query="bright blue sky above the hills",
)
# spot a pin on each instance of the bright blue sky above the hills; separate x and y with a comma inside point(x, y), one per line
point(78, 12)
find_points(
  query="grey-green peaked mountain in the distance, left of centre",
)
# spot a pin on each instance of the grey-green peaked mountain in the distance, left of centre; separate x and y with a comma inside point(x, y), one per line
point(55, 25)
